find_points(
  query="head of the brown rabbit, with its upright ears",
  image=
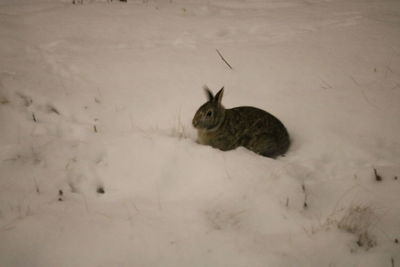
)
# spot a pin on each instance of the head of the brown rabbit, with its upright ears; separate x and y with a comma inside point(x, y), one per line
point(211, 114)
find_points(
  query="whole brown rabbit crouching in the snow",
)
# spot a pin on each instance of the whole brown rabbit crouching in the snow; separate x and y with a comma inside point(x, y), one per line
point(250, 127)
